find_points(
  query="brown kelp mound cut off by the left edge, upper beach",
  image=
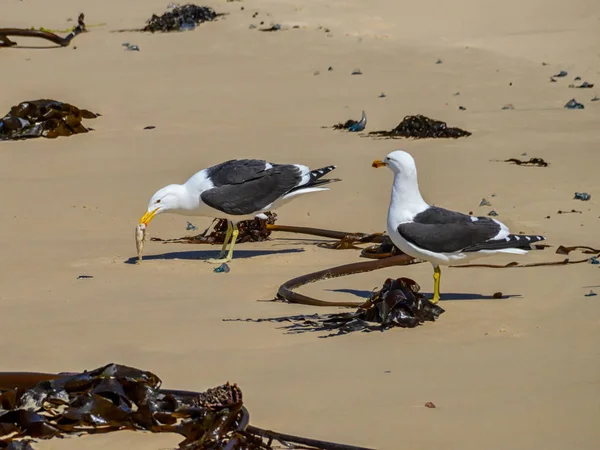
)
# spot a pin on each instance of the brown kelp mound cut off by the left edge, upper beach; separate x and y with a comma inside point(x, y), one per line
point(43, 118)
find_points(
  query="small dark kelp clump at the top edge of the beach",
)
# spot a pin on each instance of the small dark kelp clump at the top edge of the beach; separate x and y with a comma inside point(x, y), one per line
point(180, 18)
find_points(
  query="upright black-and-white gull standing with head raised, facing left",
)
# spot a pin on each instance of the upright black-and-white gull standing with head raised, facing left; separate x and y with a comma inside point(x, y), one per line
point(438, 235)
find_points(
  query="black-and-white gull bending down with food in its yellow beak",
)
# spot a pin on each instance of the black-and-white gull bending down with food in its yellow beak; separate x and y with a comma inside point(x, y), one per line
point(237, 190)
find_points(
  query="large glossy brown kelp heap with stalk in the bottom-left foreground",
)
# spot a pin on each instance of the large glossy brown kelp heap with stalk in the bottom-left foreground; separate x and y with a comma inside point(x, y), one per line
point(116, 397)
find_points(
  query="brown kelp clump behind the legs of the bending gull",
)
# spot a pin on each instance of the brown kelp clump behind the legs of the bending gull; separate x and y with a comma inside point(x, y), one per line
point(255, 230)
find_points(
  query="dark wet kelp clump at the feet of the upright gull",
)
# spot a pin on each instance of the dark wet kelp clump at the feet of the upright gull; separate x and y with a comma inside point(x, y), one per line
point(398, 304)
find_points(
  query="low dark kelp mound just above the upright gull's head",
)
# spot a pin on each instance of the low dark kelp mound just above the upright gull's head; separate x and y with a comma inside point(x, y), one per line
point(421, 127)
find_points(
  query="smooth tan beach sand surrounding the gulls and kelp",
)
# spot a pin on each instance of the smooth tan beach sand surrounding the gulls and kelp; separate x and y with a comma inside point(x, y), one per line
point(518, 373)
